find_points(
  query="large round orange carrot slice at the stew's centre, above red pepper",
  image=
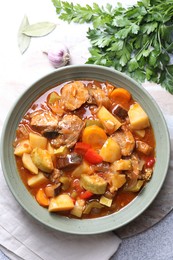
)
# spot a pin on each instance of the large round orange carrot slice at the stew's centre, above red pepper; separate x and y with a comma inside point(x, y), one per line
point(95, 136)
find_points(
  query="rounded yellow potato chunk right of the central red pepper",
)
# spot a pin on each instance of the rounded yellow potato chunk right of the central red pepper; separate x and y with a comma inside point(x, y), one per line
point(110, 151)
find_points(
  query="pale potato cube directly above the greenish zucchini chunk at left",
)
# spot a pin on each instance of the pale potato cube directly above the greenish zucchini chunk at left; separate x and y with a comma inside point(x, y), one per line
point(37, 141)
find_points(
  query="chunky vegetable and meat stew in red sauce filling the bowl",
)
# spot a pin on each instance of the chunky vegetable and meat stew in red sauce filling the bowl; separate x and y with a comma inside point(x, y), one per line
point(85, 149)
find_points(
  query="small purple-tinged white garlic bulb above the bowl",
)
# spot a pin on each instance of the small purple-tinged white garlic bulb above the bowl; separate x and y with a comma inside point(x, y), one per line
point(58, 55)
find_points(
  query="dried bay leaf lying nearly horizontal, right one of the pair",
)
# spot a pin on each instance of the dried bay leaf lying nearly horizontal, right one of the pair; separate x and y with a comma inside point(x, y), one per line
point(39, 29)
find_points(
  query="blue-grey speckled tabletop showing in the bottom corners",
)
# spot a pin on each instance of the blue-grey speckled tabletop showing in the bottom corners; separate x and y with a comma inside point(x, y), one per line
point(156, 243)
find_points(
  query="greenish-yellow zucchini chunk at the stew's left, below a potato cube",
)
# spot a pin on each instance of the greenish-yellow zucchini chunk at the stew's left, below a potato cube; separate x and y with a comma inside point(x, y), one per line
point(42, 159)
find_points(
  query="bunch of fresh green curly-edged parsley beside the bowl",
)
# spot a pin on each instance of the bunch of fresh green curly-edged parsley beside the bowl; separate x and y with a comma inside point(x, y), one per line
point(137, 40)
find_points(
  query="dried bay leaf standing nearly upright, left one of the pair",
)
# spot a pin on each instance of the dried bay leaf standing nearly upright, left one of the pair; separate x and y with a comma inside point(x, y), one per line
point(23, 40)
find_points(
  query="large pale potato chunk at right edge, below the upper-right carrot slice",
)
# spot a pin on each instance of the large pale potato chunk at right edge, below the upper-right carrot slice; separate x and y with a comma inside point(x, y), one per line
point(138, 118)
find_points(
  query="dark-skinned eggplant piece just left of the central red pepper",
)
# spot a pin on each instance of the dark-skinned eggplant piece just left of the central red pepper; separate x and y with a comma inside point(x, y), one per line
point(68, 161)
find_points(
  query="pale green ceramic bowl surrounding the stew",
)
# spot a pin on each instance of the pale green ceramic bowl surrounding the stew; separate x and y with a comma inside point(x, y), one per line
point(103, 224)
